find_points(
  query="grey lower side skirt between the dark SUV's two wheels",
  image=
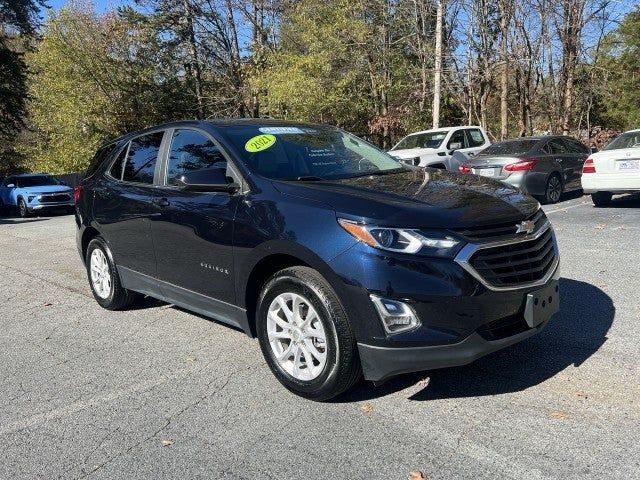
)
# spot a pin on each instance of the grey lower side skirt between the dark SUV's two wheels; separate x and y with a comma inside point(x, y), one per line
point(187, 299)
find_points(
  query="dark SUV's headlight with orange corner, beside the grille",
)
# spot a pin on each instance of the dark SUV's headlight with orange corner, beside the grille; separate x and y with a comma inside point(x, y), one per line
point(403, 240)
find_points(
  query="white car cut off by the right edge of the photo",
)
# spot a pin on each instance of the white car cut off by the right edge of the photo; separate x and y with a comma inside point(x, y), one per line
point(616, 169)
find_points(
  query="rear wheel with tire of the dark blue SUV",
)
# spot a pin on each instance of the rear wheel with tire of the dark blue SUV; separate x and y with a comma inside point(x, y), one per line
point(104, 278)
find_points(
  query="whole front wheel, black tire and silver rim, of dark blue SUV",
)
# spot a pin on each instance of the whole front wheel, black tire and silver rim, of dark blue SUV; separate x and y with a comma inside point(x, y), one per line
point(314, 368)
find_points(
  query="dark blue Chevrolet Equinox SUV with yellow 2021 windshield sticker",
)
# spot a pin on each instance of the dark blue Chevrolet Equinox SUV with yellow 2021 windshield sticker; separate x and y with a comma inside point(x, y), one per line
point(341, 260)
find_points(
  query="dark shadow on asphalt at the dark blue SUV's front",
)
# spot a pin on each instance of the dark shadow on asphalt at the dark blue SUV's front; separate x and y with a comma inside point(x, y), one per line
point(572, 336)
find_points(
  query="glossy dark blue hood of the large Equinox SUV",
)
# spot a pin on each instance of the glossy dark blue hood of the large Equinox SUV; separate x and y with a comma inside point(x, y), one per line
point(418, 198)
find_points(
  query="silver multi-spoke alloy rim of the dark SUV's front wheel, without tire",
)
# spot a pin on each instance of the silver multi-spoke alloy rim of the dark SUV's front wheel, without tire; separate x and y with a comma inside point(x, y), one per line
point(297, 336)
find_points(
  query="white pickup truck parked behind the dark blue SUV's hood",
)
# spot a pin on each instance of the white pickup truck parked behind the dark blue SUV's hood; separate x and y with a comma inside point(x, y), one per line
point(434, 148)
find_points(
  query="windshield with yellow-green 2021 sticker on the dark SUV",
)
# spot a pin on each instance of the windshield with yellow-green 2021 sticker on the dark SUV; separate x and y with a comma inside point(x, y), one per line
point(307, 153)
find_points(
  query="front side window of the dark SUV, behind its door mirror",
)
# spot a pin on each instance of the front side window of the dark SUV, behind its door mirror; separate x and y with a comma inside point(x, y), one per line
point(191, 151)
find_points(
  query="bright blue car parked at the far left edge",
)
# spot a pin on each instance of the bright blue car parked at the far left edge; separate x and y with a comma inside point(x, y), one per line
point(30, 193)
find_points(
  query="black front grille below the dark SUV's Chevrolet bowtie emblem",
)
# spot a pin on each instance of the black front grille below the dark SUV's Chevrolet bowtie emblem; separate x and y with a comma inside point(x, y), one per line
point(516, 264)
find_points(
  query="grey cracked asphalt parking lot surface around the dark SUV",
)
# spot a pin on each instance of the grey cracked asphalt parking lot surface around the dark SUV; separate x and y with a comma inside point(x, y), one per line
point(157, 392)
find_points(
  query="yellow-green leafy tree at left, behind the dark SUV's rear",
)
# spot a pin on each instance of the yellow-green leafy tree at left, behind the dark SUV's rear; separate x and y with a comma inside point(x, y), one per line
point(94, 78)
